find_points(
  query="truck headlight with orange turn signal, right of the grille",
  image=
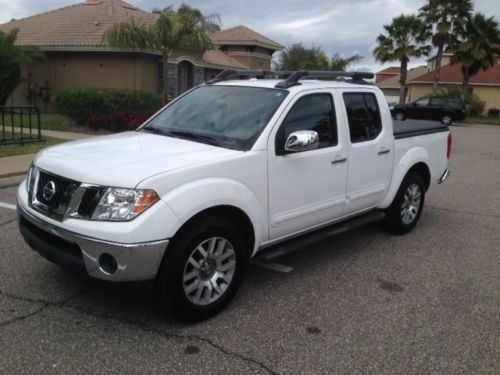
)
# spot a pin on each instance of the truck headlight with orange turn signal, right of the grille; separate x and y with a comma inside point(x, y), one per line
point(123, 204)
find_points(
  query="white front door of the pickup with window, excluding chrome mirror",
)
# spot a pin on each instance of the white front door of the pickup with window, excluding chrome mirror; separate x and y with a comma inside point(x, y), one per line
point(307, 189)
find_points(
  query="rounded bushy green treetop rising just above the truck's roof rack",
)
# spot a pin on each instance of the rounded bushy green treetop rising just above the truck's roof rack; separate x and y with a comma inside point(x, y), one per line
point(297, 56)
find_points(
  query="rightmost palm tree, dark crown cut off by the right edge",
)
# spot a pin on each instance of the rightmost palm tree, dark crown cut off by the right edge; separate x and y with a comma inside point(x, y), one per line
point(479, 47)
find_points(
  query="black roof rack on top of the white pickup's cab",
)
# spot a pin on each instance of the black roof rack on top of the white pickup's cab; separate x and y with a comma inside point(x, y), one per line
point(292, 78)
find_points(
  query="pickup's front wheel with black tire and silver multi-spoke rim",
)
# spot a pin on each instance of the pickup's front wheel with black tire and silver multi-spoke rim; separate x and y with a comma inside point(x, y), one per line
point(202, 268)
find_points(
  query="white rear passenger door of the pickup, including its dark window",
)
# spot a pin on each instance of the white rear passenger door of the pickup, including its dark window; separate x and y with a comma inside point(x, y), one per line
point(370, 150)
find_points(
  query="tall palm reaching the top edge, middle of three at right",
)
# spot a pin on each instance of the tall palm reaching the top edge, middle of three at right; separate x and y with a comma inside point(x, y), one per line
point(447, 17)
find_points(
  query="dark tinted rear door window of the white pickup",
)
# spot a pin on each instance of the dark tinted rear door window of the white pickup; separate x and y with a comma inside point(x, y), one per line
point(363, 115)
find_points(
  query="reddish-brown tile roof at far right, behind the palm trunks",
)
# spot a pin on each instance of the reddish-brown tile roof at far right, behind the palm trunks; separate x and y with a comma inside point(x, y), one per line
point(452, 74)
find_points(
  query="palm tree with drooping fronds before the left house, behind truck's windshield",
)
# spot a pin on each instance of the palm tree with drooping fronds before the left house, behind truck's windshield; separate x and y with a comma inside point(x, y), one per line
point(172, 31)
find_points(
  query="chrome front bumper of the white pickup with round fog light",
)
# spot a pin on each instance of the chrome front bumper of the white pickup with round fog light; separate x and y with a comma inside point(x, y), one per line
point(134, 262)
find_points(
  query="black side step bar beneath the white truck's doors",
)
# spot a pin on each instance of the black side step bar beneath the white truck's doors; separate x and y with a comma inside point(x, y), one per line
point(299, 243)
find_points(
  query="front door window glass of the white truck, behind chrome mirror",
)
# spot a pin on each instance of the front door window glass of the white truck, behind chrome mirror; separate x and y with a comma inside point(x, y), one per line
point(311, 112)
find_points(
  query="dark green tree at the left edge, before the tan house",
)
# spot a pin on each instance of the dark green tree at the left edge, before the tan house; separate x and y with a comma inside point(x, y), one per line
point(12, 57)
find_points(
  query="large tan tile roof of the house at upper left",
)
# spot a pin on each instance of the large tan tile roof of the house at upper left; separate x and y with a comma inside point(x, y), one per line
point(78, 25)
